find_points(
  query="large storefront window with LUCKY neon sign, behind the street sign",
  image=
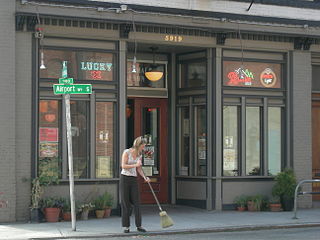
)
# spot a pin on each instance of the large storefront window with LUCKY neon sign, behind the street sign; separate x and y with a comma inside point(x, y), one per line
point(92, 117)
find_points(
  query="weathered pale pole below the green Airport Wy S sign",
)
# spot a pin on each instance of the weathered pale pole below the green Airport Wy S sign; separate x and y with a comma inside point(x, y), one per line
point(70, 161)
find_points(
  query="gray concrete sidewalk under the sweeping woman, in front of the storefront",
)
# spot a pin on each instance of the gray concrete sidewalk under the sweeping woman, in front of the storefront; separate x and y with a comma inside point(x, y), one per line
point(186, 220)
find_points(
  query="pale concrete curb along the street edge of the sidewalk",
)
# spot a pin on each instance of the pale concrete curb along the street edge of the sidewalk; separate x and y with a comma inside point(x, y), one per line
point(188, 231)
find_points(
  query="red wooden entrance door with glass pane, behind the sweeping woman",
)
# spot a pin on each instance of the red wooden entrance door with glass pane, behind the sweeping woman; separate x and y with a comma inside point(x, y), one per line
point(148, 117)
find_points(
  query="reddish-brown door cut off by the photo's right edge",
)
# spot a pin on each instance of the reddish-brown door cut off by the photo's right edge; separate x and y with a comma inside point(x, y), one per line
point(316, 148)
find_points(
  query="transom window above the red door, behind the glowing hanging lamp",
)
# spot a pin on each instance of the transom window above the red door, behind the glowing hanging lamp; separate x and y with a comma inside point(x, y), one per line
point(138, 78)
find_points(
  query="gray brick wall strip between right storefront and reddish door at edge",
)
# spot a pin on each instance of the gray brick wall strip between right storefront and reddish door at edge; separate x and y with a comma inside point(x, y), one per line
point(302, 141)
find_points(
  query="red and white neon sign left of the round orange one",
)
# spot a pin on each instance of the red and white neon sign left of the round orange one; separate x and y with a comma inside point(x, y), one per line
point(240, 76)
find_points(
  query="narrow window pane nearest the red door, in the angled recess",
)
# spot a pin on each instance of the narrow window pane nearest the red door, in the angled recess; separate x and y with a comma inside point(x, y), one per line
point(184, 141)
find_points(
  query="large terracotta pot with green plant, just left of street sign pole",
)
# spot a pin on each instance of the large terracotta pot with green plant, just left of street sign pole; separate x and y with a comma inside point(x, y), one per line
point(52, 207)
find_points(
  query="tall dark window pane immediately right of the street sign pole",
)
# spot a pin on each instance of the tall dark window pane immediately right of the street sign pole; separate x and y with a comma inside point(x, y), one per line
point(79, 128)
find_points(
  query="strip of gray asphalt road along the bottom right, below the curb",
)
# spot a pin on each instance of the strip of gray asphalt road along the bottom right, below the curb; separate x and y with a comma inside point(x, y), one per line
point(279, 234)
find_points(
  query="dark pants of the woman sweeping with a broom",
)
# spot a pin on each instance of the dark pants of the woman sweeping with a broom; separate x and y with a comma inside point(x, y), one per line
point(129, 192)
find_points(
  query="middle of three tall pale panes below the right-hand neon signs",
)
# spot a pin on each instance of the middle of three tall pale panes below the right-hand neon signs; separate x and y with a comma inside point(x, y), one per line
point(253, 141)
